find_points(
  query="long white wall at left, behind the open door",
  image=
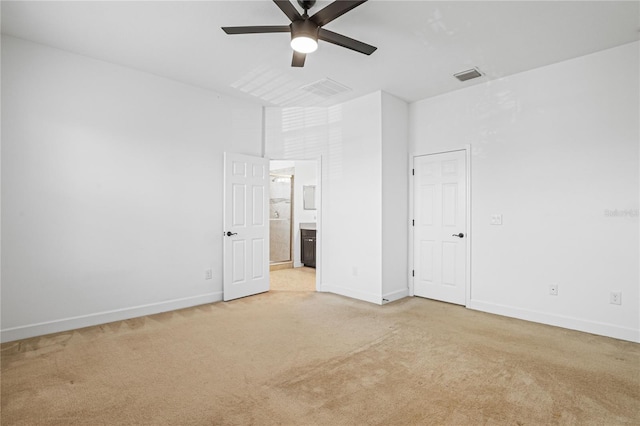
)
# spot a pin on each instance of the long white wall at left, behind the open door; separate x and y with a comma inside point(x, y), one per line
point(111, 189)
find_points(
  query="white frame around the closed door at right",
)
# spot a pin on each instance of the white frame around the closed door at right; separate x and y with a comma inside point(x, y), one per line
point(469, 236)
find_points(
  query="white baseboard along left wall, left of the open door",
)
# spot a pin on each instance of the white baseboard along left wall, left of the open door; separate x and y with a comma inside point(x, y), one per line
point(66, 324)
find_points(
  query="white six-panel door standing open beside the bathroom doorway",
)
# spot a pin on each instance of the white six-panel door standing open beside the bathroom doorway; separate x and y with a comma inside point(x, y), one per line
point(246, 226)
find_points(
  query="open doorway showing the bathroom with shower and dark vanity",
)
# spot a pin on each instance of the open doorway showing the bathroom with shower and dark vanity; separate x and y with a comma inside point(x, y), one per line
point(294, 203)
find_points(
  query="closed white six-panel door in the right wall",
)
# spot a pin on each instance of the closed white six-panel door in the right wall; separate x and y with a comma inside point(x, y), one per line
point(440, 234)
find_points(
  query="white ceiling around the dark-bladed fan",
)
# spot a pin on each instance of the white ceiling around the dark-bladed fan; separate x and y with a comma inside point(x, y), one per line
point(421, 44)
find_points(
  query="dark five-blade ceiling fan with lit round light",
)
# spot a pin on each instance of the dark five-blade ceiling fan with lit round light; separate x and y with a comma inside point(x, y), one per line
point(307, 30)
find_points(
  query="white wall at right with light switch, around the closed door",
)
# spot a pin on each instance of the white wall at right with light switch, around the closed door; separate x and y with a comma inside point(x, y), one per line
point(553, 149)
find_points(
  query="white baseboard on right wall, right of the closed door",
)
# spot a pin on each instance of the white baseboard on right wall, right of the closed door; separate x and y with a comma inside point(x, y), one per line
point(593, 327)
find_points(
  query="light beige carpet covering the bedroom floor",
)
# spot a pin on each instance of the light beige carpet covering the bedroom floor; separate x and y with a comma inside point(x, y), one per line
point(306, 358)
